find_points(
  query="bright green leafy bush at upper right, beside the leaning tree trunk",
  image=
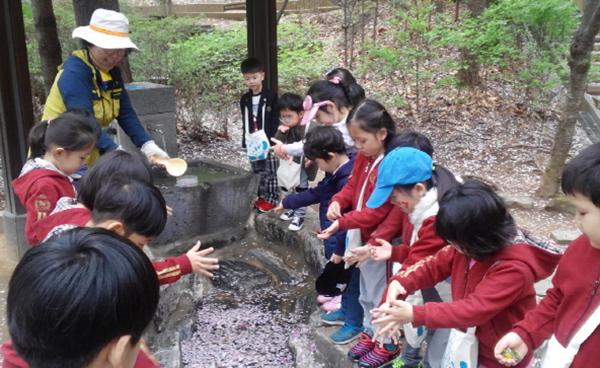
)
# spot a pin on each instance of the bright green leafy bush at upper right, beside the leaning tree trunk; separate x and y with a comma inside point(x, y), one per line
point(528, 40)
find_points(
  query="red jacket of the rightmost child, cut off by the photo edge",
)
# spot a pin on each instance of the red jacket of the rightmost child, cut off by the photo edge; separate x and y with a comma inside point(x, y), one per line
point(568, 304)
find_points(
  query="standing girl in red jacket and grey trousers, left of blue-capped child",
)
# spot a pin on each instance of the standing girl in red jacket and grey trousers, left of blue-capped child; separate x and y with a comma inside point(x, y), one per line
point(372, 129)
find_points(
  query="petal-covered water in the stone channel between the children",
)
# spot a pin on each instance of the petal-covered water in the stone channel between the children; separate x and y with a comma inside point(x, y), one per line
point(261, 299)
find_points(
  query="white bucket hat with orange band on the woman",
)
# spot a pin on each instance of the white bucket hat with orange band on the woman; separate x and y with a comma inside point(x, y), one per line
point(108, 29)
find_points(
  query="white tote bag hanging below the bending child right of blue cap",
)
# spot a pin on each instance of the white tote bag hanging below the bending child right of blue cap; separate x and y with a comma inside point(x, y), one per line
point(462, 349)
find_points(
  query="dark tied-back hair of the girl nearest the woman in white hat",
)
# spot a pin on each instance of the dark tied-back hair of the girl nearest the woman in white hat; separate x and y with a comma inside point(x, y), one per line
point(73, 130)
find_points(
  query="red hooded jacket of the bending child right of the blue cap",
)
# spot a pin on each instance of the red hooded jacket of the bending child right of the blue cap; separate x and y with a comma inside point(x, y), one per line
point(491, 295)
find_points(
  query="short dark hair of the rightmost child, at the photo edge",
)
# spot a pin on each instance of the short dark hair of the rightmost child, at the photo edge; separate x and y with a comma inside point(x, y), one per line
point(582, 174)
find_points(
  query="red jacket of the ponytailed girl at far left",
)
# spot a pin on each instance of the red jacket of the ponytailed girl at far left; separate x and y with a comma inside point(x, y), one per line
point(39, 189)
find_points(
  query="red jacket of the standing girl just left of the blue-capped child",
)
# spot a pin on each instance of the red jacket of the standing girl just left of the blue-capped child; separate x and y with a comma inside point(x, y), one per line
point(367, 219)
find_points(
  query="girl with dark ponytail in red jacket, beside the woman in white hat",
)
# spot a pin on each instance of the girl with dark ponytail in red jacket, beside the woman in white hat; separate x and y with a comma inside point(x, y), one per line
point(58, 149)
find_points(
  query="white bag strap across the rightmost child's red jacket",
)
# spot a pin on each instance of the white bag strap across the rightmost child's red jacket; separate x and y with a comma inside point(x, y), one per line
point(558, 356)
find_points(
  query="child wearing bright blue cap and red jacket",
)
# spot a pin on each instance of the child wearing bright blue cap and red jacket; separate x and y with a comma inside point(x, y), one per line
point(409, 177)
